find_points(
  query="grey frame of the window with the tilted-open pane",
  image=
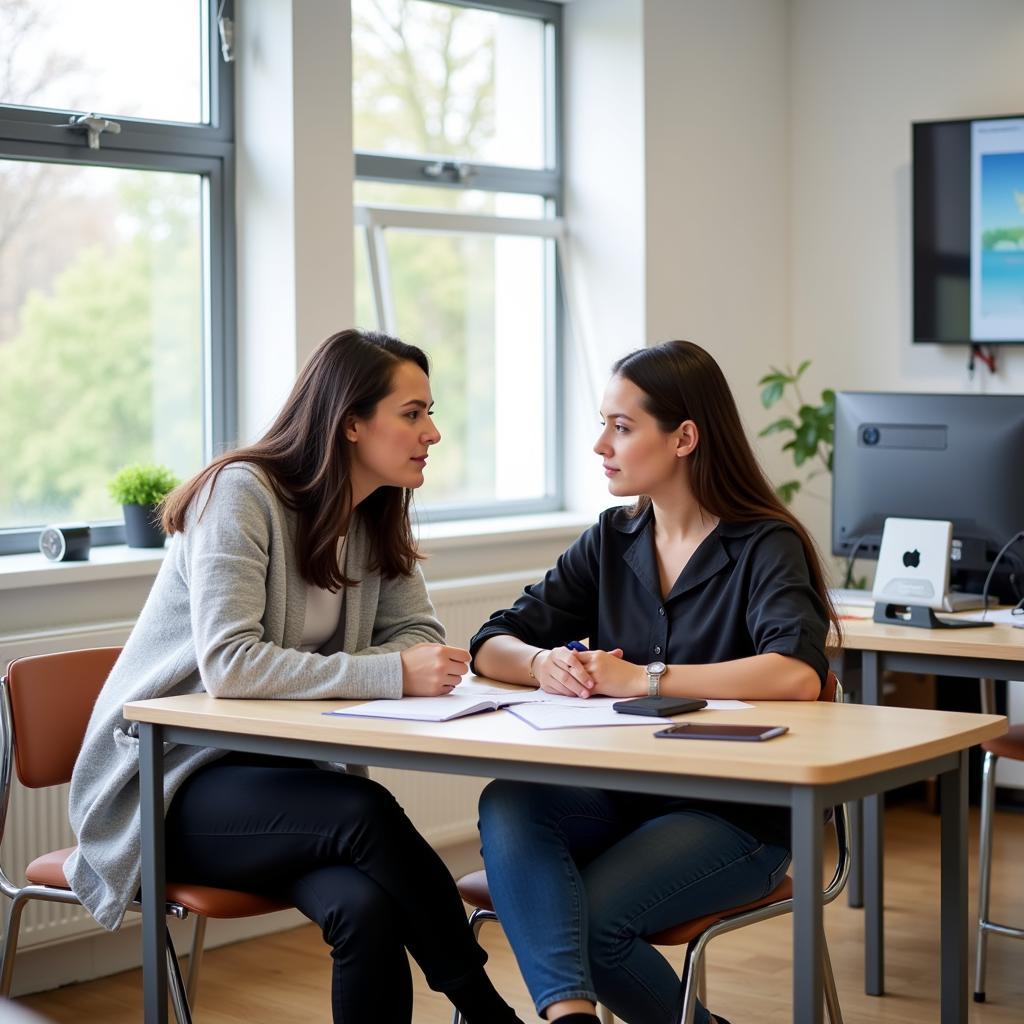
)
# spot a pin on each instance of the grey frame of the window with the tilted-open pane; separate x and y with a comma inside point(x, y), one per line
point(547, 183)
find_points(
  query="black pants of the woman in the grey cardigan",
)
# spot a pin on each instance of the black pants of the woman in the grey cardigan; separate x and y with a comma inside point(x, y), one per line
point(342, 849)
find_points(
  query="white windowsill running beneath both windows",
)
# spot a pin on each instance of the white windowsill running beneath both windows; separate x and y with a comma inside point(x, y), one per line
point(121, 563)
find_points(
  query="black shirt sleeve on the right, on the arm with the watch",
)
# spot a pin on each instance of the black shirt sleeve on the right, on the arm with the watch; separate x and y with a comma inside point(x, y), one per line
point(785, 614)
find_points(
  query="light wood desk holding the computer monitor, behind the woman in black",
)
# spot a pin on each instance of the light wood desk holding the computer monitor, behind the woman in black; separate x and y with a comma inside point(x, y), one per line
point(993, 652)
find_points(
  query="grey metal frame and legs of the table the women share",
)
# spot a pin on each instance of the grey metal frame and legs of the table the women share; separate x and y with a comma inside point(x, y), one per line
point(807, 803)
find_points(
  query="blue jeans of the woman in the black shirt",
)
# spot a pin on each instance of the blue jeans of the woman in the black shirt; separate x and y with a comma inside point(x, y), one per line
point(579, 877)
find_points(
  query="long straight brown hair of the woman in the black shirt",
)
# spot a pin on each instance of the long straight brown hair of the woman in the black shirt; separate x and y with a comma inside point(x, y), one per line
point(680, 381)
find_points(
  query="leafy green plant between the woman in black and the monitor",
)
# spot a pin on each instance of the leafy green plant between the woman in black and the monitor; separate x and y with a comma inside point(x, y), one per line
point(808, 431)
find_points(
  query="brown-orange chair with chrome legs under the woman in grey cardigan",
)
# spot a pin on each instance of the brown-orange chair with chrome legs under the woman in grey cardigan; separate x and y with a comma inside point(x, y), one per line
point(41, 747)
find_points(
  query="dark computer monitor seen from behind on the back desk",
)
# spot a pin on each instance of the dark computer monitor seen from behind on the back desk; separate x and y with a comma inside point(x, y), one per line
point(957, 457)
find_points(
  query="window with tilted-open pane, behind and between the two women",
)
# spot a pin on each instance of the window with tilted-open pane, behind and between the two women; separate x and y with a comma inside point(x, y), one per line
point(458, 232)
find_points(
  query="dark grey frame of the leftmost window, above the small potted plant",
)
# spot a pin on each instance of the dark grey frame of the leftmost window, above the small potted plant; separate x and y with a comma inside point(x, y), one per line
point(205, 150)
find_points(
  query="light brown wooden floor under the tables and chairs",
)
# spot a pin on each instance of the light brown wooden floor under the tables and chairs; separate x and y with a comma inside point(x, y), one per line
point(284, 978)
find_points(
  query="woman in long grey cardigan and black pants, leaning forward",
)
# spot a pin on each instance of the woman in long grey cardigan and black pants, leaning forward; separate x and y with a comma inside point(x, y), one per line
point(293, 574)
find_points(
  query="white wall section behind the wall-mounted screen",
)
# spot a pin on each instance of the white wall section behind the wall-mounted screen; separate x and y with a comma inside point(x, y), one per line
point(861, 74)
